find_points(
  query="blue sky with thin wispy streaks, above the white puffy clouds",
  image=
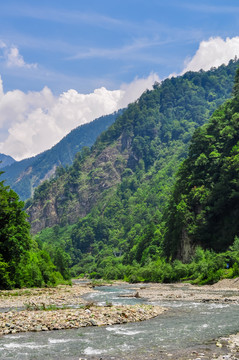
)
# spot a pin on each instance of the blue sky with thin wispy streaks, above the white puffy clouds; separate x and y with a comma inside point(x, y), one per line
point(88, 44)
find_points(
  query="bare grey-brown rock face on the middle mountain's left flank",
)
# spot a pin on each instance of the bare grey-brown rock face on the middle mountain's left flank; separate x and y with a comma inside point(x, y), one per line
point(72, 196)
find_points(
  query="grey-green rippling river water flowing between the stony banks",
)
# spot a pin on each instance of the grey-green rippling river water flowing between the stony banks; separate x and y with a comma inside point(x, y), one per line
point(185, 324)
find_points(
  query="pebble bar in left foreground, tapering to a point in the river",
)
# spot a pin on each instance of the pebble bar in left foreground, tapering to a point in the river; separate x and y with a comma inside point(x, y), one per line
point(44, 320)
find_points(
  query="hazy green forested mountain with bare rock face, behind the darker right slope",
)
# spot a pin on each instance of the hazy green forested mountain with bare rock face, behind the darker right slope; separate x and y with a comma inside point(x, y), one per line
point(118, 190)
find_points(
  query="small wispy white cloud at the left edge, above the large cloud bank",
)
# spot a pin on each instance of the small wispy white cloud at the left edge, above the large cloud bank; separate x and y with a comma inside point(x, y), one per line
point(12, 58)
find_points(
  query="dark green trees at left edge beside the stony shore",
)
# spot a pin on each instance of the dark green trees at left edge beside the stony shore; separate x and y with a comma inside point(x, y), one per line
point(22, 263)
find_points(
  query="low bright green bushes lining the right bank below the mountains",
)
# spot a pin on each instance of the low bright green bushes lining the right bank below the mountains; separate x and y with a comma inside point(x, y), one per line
point(206, 267)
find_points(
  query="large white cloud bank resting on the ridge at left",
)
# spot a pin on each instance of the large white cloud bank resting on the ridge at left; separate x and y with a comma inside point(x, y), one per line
point(33, 122)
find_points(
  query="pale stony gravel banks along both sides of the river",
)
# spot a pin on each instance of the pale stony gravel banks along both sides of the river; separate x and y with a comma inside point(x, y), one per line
point(43, 316)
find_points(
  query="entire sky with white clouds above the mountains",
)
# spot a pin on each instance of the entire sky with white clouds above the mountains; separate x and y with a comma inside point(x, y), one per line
point(64, 63)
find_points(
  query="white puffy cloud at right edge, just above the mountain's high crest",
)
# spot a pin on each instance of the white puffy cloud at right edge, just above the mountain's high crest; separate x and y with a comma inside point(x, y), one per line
point(213, 53)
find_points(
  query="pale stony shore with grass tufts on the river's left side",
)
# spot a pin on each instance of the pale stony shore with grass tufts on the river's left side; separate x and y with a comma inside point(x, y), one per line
point(48, 309)
